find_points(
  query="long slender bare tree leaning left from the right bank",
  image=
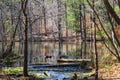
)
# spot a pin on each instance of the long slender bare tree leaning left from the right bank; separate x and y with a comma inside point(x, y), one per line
point(115, 50)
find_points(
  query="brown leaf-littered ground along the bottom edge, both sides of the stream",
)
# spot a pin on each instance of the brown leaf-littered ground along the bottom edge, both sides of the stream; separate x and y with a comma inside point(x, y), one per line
point(106, 73)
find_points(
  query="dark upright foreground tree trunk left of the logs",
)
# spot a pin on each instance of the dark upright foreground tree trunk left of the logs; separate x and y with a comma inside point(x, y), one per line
point(24, 9)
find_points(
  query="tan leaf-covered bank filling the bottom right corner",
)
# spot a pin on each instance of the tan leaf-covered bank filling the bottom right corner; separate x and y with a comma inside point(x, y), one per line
point(110, 73)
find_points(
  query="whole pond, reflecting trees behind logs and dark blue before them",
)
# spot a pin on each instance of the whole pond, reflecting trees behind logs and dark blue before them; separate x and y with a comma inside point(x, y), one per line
point(49, 52)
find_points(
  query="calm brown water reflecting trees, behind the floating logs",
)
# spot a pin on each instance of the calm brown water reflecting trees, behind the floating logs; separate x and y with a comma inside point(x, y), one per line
point(49, 52)
